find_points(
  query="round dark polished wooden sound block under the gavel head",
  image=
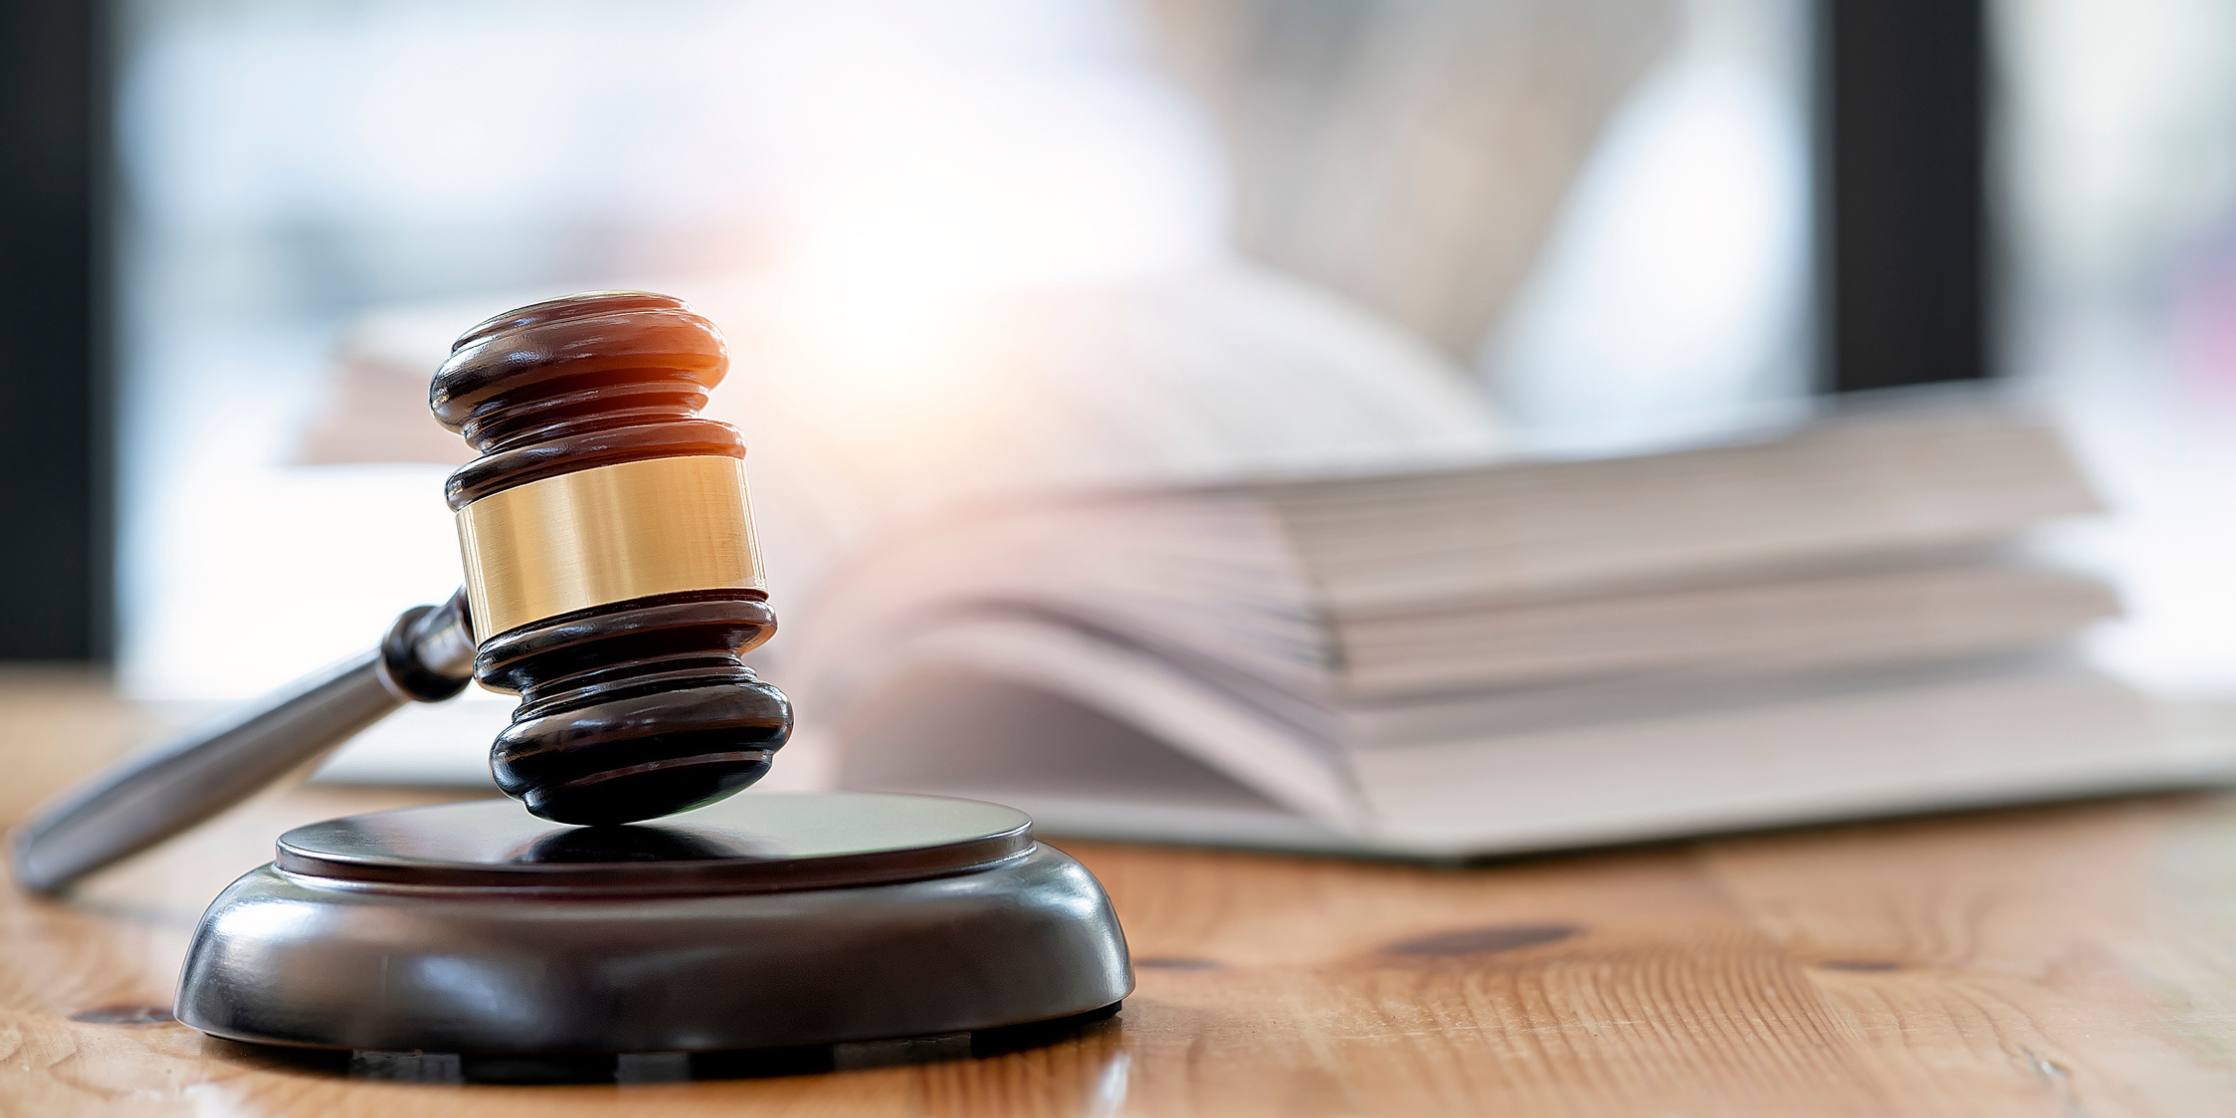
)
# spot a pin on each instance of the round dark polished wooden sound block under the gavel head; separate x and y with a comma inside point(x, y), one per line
point(761, 922)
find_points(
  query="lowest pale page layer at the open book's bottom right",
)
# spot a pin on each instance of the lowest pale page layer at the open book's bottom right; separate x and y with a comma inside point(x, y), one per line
point(1937, 746)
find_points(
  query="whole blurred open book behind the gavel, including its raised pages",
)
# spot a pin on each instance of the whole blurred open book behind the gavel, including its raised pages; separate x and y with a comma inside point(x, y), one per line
point(1222, 560)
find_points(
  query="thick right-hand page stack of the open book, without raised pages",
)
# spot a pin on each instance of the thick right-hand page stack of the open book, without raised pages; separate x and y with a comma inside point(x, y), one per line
point(1832, 623)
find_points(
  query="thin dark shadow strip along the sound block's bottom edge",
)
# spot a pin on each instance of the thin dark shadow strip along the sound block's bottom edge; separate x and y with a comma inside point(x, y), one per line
point(1097, 1036)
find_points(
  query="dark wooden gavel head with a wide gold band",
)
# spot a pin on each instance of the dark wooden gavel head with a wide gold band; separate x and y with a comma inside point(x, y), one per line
point(612, 567)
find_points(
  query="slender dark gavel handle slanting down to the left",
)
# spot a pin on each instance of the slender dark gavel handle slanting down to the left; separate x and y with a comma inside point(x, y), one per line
point(428, 656)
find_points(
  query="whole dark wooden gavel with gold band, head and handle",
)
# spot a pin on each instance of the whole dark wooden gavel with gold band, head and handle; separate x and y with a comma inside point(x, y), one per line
point(612, 582)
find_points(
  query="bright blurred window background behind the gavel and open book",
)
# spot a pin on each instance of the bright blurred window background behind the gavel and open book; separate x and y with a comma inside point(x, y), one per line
point(1059, 243)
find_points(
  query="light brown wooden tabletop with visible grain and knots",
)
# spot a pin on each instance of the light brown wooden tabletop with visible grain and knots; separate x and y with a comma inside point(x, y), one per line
point(2065, 960)
